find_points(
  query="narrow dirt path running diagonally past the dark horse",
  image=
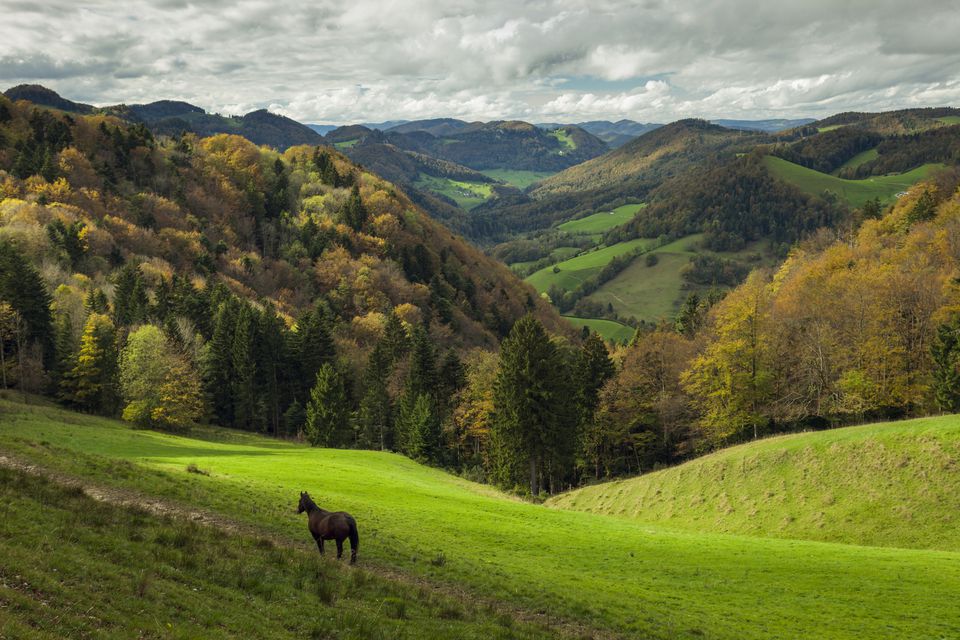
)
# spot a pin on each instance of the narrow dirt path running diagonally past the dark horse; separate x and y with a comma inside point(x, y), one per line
point(161, 507)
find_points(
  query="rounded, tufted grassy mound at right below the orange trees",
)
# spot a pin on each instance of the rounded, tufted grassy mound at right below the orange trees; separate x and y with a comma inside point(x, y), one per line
point(890, 484)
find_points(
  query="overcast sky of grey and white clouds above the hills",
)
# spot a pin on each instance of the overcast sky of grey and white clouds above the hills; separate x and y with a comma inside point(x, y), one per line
point(335, 61)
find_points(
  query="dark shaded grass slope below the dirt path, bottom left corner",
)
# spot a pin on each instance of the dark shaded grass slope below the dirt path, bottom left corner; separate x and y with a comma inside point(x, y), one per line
point(76, 567)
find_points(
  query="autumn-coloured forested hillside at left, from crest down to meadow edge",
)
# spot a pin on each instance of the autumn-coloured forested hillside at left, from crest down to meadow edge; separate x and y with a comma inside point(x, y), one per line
point(176, 280)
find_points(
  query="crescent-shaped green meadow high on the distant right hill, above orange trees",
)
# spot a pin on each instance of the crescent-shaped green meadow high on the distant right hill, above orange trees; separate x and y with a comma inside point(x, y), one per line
point(854, 192)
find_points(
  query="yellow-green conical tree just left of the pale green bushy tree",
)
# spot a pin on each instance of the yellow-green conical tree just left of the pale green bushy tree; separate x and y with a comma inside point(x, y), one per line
point(92, 383)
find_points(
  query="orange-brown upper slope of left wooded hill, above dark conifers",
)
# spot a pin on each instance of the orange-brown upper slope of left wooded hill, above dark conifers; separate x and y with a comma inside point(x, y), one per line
point(266, 225)
